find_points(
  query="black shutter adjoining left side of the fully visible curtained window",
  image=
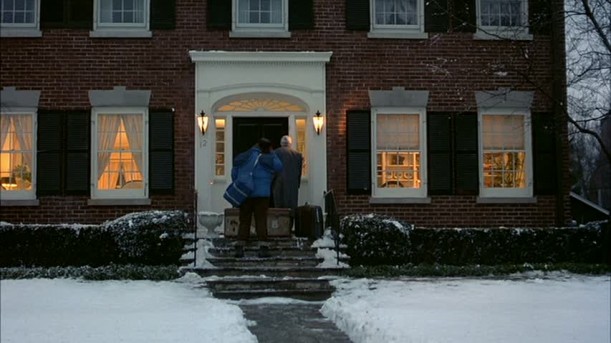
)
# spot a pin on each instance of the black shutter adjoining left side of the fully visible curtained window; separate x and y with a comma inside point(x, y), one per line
point(78, 156)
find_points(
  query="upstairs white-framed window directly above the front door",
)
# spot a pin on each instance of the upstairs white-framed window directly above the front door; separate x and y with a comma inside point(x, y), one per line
point(260, 18)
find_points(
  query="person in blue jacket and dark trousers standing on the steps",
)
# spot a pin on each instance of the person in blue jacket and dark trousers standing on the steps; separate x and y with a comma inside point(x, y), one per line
point(257, 203)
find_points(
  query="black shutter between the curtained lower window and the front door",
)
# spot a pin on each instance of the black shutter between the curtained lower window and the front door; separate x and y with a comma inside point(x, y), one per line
point(161, 152)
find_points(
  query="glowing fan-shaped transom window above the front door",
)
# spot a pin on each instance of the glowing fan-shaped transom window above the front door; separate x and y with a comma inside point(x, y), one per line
point(261, 104)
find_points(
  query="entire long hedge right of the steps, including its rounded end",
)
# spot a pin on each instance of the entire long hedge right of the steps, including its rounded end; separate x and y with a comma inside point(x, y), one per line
point(373, 239)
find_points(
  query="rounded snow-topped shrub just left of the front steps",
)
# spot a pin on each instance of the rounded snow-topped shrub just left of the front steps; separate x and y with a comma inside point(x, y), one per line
point(150, 238)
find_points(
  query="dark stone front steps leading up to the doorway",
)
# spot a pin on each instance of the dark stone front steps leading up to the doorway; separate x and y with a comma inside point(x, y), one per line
point(291, 271)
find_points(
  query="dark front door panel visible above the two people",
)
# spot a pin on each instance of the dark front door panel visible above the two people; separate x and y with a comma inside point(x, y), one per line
point(248, 131)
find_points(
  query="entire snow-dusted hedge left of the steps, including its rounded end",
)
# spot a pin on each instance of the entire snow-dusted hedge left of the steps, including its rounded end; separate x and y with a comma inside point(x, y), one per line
point(143, 238)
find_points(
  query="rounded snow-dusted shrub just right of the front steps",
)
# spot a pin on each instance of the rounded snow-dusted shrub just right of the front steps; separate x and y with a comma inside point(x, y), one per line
point(374, 239)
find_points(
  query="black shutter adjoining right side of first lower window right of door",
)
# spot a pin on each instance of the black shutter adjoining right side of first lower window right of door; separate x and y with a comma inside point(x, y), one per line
point(439, 149)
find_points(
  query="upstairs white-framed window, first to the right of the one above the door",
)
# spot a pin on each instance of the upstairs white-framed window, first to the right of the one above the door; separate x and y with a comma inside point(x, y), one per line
point(397, 19)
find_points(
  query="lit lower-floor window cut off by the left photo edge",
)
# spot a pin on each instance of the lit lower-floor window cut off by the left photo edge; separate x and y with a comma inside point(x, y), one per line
point(17, 155)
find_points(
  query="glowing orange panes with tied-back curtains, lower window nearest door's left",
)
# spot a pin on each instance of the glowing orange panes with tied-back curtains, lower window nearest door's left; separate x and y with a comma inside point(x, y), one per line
point(120, 157)
